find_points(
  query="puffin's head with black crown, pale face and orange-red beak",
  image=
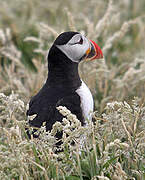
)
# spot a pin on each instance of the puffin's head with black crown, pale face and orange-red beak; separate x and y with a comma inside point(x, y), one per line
point(77, 47)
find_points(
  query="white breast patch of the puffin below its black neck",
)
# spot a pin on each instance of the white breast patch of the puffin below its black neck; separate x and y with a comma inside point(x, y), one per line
point(87, 103)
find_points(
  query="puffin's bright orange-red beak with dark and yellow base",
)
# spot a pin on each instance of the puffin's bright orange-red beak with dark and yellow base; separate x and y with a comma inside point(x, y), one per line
point(94, 52)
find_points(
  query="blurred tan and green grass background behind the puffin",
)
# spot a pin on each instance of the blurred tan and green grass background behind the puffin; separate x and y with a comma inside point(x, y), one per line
point(28, 29)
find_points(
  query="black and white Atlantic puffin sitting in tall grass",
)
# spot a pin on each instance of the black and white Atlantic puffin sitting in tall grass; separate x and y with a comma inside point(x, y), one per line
point(63, 86)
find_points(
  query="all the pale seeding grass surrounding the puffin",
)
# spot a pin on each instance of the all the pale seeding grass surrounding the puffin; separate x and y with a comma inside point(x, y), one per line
point(113, 147)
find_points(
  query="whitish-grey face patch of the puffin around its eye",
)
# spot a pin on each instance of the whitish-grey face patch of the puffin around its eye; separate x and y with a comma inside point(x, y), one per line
point(76, 47)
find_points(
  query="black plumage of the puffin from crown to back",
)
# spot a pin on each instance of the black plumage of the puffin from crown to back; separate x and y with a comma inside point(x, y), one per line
point(59, 89)
